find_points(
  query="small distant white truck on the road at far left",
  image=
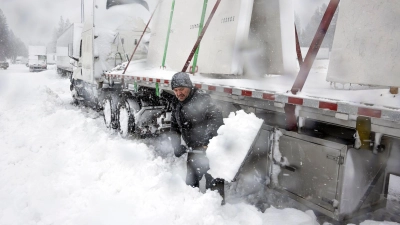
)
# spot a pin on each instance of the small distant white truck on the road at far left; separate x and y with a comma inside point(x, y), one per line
point(37, 58)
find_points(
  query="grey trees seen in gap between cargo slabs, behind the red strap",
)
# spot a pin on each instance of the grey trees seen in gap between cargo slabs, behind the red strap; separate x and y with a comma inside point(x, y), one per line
point(308, 33)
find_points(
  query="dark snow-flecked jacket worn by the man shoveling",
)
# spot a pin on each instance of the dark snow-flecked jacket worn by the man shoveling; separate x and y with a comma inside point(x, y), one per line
point(197, 119)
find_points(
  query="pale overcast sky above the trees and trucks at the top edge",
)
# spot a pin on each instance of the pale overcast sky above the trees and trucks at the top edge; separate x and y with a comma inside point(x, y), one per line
point(34, 20)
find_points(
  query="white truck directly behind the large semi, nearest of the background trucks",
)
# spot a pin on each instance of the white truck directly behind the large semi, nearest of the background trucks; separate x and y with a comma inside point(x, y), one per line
point(67, 49)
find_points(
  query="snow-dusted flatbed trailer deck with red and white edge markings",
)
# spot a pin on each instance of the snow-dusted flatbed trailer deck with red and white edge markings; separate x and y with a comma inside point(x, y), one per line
point(375, 102)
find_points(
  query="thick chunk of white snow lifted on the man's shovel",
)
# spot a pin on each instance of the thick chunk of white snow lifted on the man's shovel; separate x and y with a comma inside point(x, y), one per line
point(227, 151)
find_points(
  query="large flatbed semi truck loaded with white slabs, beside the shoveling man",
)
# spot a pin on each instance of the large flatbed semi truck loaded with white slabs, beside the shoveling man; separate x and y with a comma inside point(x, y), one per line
point(331, 133)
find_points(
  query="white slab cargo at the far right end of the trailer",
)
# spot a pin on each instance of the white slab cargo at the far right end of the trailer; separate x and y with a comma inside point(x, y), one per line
point(368, 61)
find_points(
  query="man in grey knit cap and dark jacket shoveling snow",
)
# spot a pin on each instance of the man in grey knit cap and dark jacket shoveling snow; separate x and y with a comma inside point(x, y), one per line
point(196, 119)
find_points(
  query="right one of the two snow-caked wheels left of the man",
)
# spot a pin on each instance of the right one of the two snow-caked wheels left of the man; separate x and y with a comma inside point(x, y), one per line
point(127, 109)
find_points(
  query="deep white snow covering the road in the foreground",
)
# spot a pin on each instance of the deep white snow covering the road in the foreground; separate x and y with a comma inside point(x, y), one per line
point(60, 165)
